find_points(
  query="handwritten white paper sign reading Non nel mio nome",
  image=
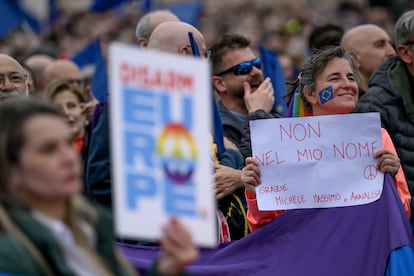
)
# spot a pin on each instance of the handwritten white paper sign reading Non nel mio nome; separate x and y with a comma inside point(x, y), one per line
point(317, 161)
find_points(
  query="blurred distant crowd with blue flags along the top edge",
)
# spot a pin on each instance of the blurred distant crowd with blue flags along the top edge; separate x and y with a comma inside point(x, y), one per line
point(63, 28)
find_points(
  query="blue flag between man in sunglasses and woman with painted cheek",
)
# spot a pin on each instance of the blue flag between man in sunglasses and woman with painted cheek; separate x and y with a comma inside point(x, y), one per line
point(273, 70)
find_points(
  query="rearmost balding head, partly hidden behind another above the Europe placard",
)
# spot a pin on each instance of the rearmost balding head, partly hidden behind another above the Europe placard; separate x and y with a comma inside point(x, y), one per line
point(149, 22)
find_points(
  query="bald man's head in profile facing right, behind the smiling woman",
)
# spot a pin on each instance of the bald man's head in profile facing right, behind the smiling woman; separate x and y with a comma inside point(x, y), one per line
point(370, 46)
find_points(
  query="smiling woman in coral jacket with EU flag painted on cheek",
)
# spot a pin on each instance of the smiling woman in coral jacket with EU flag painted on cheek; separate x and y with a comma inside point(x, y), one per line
point(328, 85)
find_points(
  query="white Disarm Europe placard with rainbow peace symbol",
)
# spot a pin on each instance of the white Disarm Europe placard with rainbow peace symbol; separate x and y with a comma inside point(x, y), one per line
point(160, 107)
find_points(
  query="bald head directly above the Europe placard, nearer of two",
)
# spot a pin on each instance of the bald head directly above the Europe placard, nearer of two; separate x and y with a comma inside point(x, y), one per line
point(172, 37)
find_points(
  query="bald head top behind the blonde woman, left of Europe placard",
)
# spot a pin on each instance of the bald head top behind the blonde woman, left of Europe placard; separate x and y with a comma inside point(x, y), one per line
point(63, 69)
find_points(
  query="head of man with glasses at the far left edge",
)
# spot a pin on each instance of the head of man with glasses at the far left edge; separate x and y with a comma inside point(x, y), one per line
point(13, 80)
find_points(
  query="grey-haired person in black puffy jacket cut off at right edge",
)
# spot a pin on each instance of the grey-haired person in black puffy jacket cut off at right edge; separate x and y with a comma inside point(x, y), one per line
point(391, 92)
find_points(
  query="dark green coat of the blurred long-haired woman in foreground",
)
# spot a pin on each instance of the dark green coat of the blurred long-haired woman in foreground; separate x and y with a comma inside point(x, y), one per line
point(16, 259)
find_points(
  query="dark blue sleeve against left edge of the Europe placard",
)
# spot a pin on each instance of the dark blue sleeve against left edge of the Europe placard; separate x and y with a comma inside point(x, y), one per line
point(98, 164)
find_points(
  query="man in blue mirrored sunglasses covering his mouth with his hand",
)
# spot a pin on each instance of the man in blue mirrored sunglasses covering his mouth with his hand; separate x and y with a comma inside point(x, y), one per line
point(243, 93)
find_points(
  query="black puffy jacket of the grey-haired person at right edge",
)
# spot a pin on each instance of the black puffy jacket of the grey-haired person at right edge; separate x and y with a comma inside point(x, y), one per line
point(391, 94)
